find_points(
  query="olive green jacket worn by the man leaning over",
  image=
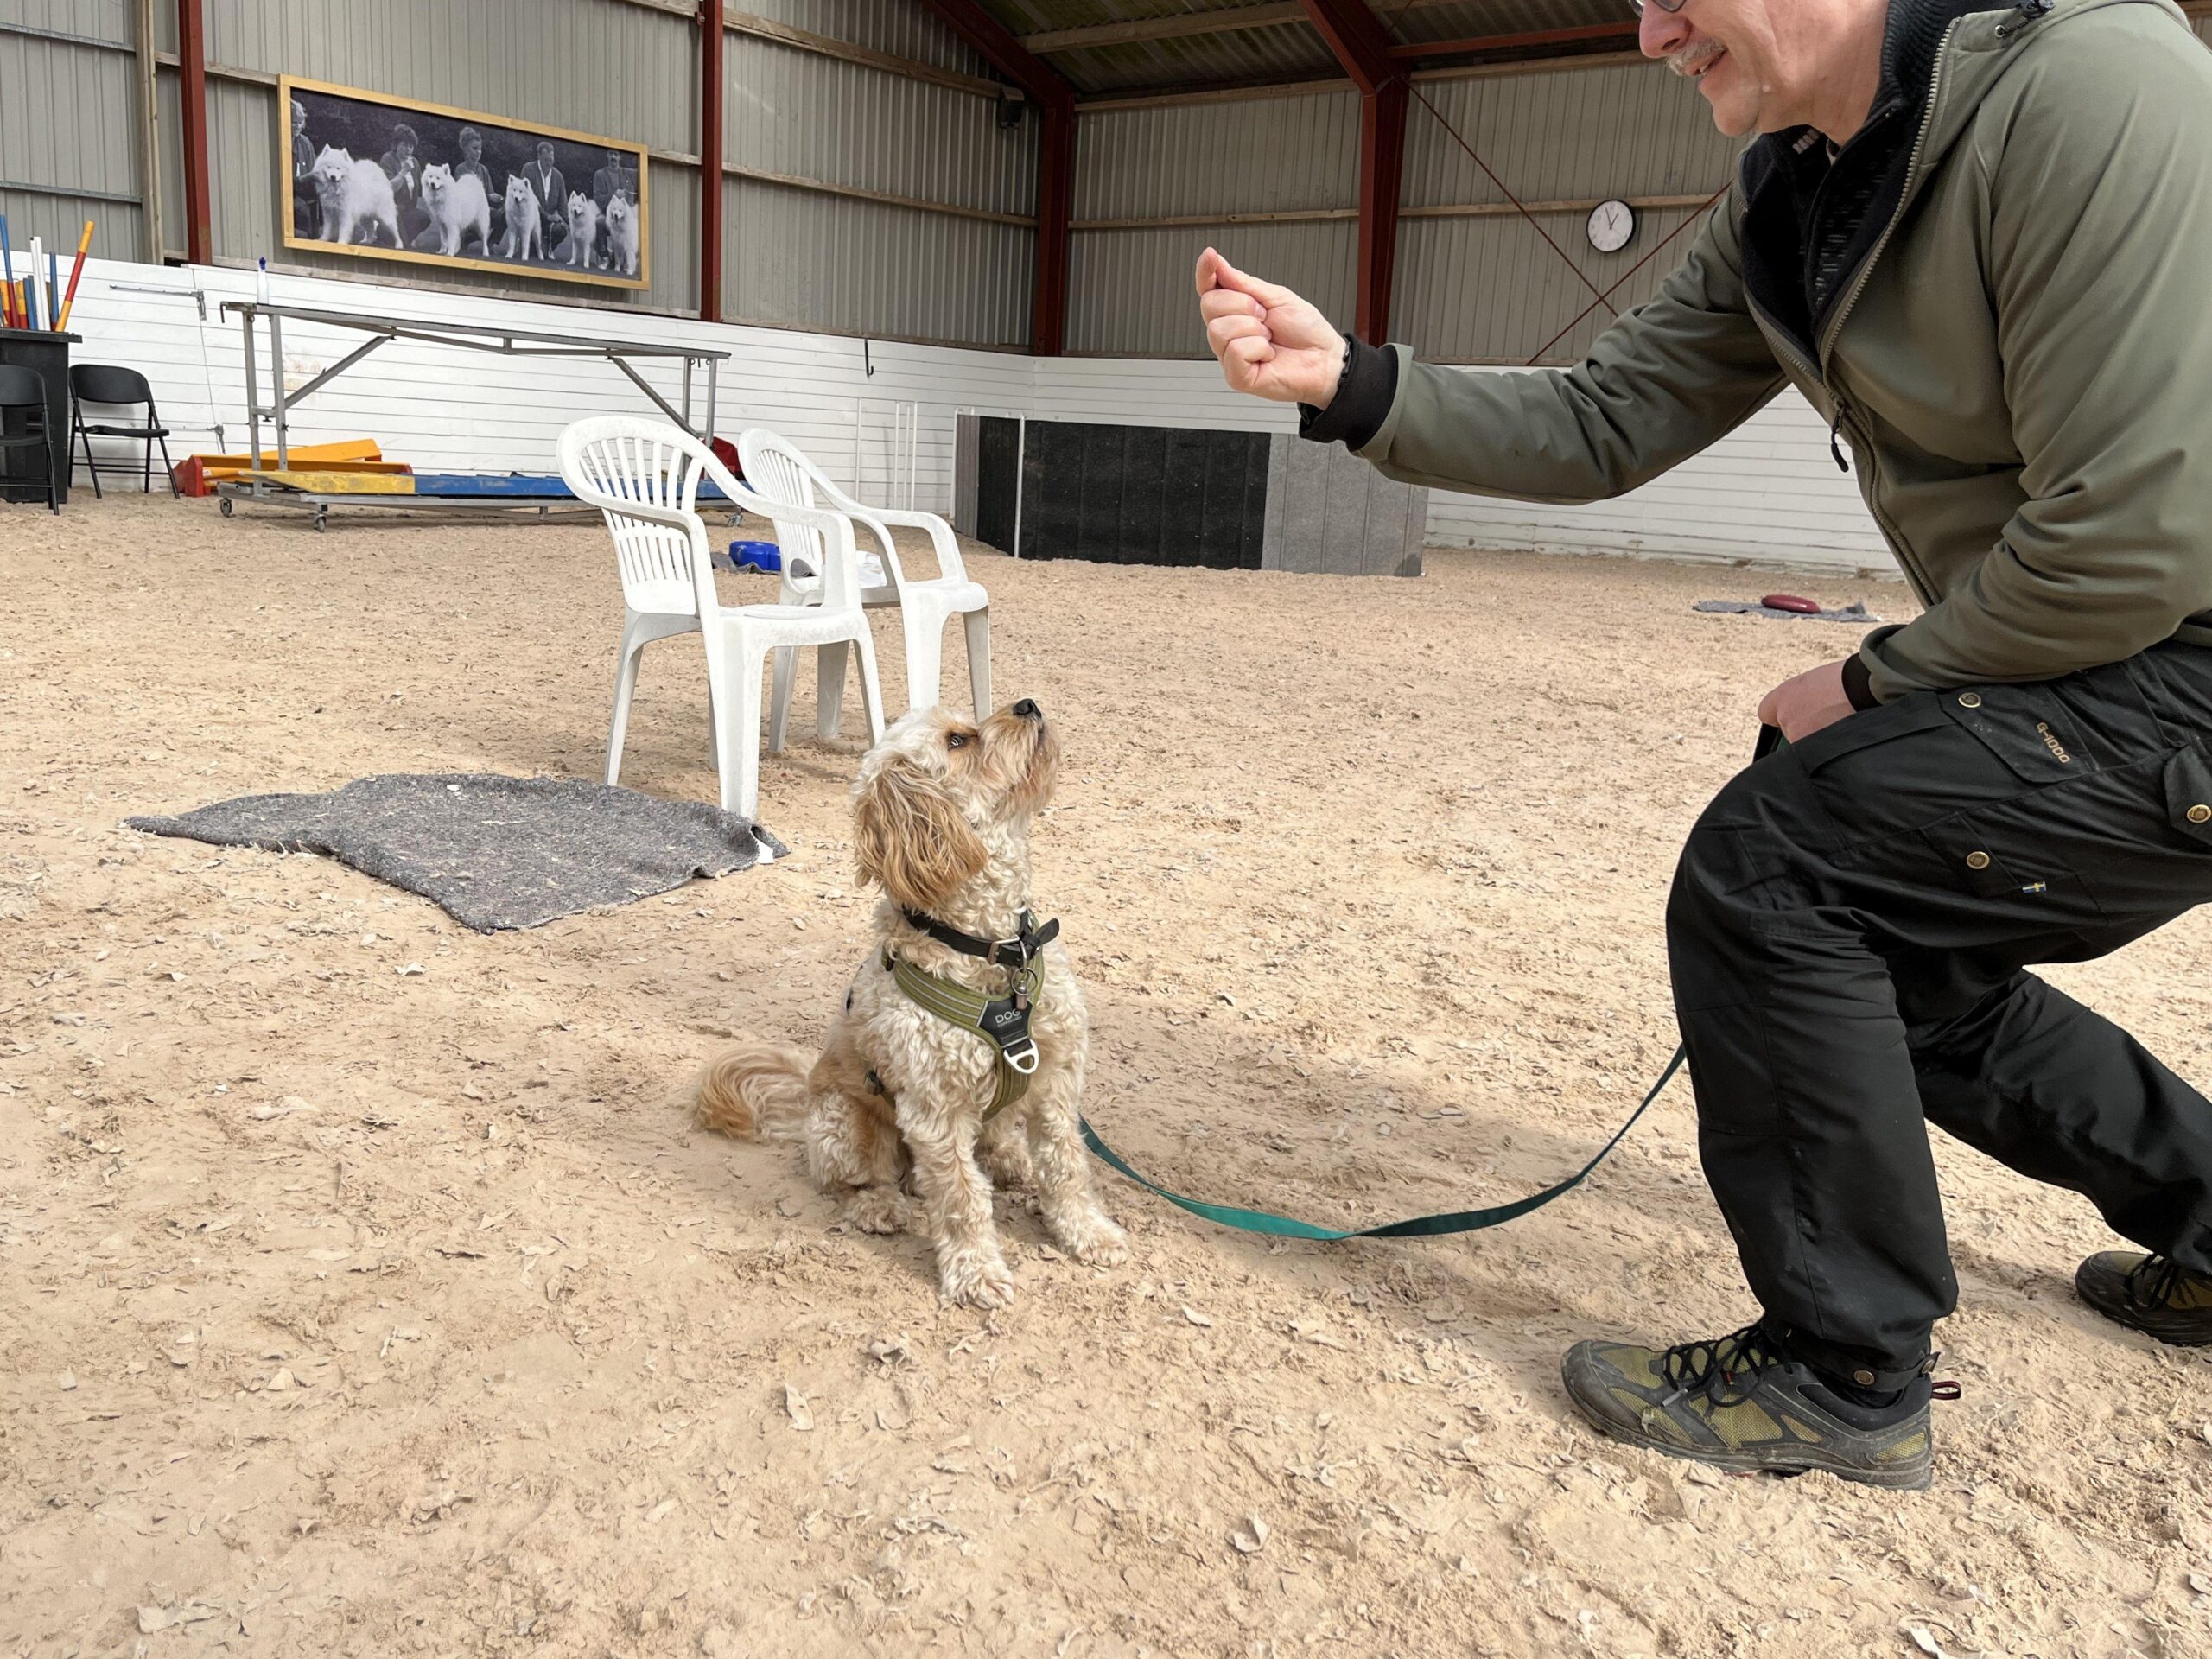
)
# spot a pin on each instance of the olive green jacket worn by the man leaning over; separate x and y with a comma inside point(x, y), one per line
point(2023, 366)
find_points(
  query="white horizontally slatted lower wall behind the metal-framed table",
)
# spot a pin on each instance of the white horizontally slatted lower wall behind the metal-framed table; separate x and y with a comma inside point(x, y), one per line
point(1768, 492)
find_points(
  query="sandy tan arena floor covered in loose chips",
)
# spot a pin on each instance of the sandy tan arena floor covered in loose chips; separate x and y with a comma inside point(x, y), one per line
point(364, 1288)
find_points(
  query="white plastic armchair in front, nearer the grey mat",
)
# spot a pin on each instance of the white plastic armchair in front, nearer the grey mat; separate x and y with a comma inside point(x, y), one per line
point(645, 481)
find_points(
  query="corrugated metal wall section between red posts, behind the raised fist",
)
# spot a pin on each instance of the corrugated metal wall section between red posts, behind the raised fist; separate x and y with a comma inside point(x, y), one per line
point(1129, 291)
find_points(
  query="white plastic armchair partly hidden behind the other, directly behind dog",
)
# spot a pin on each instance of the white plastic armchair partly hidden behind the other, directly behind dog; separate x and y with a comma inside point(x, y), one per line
point(780, 470)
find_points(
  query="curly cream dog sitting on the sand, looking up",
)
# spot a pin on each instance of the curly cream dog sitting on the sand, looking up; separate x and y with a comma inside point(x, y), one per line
point(943, 813)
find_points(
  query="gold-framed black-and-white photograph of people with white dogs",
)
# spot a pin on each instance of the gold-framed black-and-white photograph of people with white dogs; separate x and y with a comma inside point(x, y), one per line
point(384, 178)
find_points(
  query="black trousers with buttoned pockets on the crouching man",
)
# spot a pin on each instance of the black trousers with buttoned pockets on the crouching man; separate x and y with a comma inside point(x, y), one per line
point(1848, 935)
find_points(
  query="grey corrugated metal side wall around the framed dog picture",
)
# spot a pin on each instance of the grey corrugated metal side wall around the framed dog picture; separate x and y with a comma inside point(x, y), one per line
point(802, 258)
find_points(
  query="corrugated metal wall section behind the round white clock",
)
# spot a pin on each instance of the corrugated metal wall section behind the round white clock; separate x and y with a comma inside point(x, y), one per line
point(1488, 291)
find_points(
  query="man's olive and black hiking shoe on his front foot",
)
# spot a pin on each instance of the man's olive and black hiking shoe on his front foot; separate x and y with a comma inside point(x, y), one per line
point(1742, 1404)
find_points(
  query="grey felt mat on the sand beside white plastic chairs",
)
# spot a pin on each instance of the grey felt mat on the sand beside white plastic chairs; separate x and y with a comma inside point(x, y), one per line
point(492, 851)
